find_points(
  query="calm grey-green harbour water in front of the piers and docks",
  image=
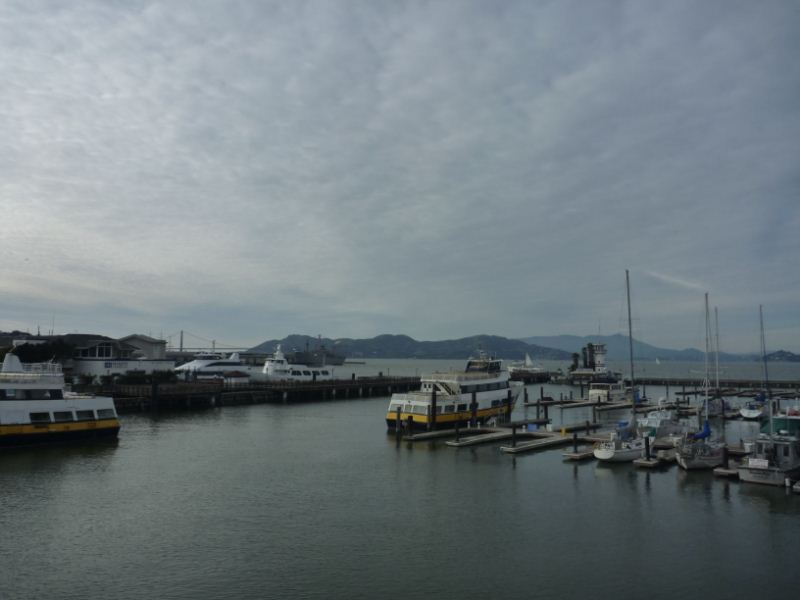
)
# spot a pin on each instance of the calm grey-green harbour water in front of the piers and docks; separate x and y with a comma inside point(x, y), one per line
point(317, 501)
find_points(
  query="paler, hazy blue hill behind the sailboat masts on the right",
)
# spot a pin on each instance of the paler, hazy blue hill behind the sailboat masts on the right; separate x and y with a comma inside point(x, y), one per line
point(617, 348)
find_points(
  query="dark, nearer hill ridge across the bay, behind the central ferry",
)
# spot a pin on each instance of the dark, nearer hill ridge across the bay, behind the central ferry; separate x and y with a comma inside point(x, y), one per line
point(402, 346)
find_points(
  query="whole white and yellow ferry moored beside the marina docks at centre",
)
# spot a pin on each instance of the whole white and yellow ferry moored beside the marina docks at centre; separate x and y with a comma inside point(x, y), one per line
point(445, 399)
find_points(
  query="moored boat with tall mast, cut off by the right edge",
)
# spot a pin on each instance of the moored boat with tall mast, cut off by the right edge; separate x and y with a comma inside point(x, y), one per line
point(776, 456)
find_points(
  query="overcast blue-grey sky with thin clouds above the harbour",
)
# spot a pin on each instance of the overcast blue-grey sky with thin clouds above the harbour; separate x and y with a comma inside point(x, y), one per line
point(245, 170)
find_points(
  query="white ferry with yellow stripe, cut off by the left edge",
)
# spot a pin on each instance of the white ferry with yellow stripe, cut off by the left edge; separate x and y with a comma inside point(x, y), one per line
point(34, 407)
